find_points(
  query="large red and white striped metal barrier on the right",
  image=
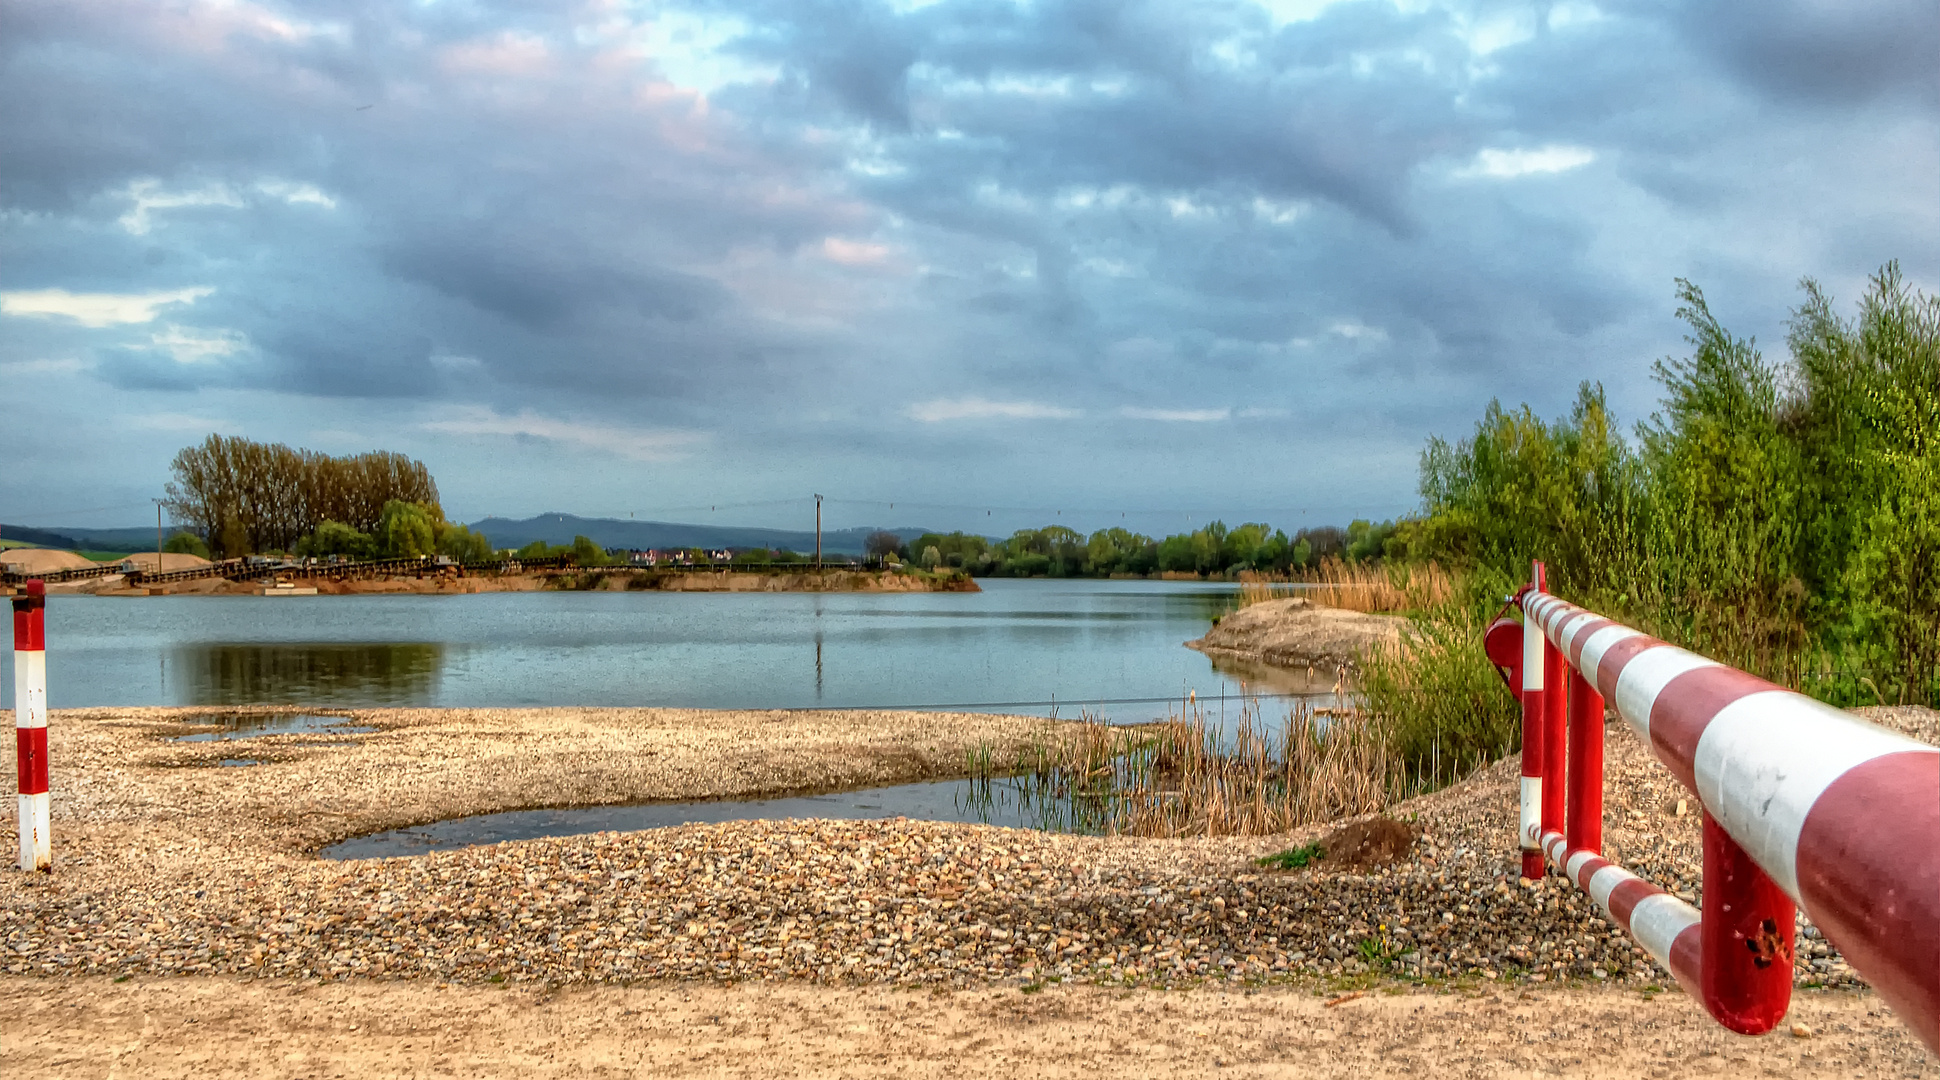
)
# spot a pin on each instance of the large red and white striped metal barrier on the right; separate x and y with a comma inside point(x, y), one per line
point(1803, 804)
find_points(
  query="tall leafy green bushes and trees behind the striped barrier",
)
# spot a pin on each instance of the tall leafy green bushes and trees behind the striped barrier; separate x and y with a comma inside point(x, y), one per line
point(1782, 517)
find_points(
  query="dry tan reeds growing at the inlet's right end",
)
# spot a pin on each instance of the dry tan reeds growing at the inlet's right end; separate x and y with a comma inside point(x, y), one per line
point(1196, 777)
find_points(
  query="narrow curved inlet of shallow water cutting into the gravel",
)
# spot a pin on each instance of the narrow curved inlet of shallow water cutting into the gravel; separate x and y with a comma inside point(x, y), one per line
point(998, 804)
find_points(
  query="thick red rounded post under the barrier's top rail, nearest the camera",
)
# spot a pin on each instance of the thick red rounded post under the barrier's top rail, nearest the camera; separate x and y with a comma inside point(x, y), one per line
point(1749, 928)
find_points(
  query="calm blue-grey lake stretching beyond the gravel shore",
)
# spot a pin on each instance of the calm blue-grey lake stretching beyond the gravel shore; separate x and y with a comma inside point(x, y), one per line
point(1018, 647)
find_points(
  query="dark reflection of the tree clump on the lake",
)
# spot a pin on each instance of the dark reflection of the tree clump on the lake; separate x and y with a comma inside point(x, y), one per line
point(315, 674)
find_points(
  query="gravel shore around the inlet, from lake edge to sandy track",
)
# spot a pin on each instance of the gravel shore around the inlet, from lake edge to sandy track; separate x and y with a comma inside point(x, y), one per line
point(168, 866)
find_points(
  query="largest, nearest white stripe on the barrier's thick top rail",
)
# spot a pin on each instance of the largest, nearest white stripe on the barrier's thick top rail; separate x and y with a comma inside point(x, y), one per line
point(1766, 759)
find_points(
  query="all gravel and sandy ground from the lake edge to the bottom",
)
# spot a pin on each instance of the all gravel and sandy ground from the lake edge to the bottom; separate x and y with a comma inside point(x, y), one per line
point(168, 864)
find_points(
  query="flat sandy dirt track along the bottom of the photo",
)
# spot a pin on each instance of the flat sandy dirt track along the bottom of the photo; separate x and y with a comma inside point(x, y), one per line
point(265, 1029)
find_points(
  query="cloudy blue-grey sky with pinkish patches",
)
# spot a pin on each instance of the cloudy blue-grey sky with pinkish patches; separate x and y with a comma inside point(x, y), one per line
point(990, 261)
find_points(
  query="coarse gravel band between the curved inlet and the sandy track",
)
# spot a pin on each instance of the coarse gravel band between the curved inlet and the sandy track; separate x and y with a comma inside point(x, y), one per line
point(858, 903)
